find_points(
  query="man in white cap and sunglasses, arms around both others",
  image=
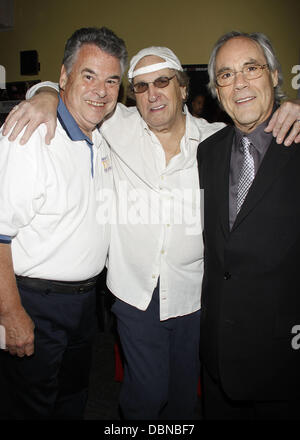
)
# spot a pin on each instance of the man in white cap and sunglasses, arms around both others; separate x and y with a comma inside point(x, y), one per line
point(155, 262)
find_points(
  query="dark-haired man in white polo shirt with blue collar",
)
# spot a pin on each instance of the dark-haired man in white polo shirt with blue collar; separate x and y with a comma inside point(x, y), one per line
point(53, 245)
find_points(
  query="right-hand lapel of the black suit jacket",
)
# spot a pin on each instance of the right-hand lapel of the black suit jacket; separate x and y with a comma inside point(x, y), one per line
point(272, 165)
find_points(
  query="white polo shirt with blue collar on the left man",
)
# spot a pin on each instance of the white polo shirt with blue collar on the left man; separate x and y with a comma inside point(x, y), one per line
point(50, 204)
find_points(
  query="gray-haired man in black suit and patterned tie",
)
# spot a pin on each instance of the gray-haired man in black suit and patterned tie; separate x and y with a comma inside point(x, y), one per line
point(250, 314)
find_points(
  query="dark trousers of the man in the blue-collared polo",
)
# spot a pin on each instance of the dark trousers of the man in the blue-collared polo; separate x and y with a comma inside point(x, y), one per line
point(53, 382)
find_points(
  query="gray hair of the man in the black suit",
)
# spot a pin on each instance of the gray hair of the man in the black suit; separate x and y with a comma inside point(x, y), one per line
point(267, 49)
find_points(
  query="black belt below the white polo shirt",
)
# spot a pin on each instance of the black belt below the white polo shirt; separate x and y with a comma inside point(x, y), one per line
point(53, 286)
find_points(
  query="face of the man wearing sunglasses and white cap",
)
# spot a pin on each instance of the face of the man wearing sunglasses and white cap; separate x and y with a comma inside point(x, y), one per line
point(161, 108)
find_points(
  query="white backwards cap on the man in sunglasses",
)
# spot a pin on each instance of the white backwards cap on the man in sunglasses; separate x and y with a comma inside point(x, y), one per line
point(166, 54)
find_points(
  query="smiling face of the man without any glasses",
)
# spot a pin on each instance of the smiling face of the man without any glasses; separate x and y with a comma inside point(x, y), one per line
point(91, 89)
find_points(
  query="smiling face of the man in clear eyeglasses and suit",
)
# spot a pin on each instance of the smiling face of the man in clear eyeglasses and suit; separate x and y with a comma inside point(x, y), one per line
point(248, 102)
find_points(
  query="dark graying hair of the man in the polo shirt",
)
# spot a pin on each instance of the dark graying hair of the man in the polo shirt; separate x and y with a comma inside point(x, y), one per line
point(103, 38)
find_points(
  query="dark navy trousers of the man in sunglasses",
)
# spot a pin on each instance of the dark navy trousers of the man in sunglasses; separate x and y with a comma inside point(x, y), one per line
point(161, 367)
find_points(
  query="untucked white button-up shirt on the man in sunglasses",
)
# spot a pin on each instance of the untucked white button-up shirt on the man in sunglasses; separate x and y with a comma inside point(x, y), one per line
point(156, 230)
